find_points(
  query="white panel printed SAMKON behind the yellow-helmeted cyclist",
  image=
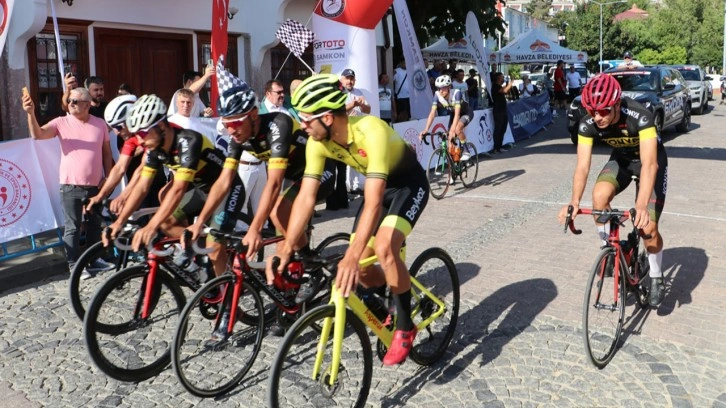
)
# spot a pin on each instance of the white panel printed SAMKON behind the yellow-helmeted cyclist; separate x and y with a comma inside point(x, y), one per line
point(339, 46)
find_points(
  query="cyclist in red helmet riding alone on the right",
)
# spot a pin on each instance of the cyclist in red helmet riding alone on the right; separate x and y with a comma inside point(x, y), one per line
point(629, 128)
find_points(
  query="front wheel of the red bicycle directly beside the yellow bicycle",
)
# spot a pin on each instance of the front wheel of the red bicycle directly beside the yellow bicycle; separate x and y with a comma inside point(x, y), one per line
point(209, 367)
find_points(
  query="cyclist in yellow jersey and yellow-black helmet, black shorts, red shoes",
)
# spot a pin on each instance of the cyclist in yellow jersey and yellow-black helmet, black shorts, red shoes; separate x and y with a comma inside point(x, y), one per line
point(395, 193)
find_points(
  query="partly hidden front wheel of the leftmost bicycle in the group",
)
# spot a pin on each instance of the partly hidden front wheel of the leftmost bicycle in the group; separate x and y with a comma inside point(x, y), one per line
point(81, 290)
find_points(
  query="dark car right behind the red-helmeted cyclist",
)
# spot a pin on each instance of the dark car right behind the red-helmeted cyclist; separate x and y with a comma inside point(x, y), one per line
point(660, 88)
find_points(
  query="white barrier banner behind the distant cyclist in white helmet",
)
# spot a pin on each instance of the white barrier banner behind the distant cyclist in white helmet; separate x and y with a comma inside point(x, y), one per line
point(479, 131)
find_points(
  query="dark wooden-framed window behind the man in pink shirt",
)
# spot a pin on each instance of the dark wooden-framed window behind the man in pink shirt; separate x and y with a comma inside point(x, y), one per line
point(46, 84)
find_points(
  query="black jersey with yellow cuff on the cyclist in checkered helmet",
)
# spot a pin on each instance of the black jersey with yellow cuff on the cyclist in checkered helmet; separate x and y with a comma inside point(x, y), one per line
point(281, 143)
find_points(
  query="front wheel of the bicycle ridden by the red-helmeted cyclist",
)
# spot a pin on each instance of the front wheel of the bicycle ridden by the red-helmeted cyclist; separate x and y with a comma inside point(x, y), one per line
point(603, 310)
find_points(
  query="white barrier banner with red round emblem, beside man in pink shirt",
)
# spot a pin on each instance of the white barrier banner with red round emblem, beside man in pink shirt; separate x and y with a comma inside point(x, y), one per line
point(25, 202)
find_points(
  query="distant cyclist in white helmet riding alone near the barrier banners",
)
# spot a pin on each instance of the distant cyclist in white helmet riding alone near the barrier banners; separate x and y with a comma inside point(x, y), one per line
point(450, 102)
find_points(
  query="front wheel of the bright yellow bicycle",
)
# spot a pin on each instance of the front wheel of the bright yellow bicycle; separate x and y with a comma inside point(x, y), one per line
point(291, 381)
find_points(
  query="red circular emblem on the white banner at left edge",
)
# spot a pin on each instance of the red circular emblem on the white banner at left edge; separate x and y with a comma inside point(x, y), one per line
point(15, 193)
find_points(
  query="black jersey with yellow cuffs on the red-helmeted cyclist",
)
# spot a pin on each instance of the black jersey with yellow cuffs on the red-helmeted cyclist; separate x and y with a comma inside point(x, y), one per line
point(635, 124)
